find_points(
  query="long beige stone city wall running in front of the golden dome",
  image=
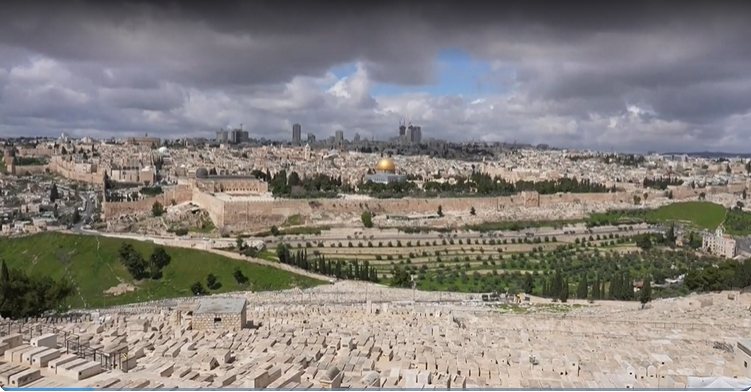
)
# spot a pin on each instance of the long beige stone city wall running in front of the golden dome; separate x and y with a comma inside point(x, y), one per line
point(246, 214)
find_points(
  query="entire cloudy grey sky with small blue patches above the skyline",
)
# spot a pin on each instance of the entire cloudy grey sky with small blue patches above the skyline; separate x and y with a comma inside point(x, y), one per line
point(628, 75)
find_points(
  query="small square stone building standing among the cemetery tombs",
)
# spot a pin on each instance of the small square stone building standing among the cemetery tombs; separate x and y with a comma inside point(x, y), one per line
point(220, 313)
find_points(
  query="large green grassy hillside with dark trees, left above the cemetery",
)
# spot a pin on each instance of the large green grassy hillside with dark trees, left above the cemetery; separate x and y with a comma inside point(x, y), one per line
point(93, 264)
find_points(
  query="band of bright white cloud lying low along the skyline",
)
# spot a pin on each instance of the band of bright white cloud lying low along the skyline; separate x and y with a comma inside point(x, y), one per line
point(323, 105)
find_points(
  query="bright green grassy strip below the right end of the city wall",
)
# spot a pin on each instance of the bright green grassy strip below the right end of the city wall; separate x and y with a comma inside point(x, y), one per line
point(700, 214)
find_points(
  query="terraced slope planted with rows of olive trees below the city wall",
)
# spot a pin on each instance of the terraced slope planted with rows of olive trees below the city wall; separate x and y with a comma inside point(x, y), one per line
point(486, 263)
